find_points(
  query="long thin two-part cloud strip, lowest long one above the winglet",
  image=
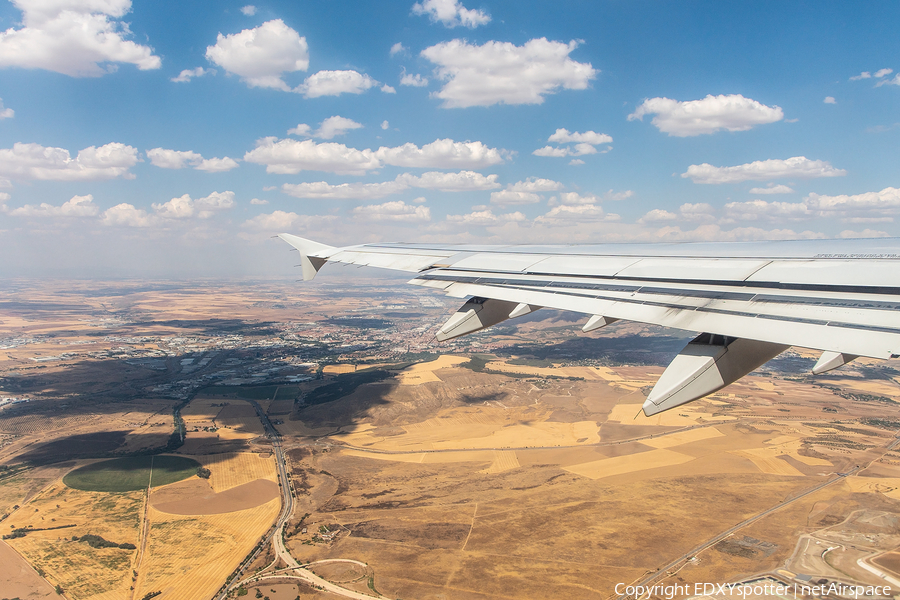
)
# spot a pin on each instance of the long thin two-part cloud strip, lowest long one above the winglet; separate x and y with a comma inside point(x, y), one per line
point(445, 182)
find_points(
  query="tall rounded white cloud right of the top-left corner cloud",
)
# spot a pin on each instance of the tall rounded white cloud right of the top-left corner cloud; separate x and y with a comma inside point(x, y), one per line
point(260, 56)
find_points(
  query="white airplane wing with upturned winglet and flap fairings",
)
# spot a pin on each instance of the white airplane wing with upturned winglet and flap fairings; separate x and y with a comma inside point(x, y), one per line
point(748, 301)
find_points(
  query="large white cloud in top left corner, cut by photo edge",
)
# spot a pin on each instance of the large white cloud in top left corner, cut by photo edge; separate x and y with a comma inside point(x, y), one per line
point(80, 38)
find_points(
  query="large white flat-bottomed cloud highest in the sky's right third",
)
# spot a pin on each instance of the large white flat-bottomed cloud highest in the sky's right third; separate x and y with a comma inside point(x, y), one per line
point(713, 113)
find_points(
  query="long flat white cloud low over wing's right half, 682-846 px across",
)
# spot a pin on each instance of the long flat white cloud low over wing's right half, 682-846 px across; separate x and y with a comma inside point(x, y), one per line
point(760, 170)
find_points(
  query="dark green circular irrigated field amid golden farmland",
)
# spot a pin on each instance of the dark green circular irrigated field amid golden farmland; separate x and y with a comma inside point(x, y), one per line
point(130, 474)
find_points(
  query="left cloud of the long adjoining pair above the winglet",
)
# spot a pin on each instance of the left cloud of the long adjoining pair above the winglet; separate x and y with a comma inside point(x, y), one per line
point(290, 157)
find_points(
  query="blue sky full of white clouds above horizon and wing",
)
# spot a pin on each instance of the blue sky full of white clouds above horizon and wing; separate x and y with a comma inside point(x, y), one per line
point(174, 138)
